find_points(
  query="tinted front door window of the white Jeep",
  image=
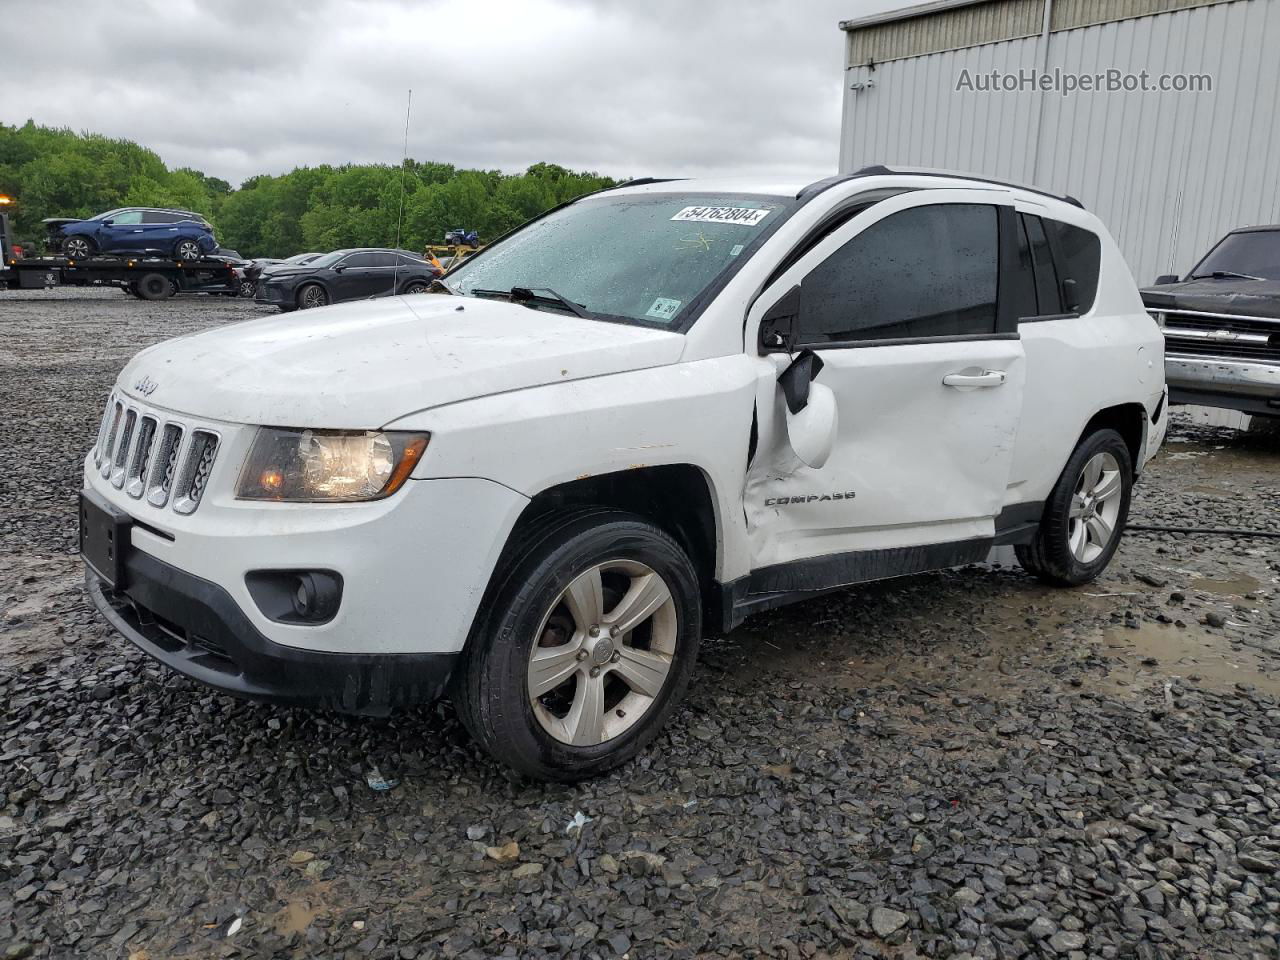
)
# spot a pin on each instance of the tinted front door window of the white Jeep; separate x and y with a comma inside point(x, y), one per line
point(926, 272)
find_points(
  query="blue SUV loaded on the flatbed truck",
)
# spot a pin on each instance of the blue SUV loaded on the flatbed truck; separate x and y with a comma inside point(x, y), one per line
point(135, 230)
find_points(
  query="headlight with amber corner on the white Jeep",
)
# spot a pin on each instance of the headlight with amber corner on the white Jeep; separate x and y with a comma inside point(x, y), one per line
point(319, 467)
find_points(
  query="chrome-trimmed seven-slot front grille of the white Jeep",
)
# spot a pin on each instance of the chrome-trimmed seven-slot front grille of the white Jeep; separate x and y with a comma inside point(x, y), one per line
point(152, 458)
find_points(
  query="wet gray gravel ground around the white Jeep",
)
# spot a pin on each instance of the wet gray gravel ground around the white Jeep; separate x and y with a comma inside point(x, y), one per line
point(963, 765)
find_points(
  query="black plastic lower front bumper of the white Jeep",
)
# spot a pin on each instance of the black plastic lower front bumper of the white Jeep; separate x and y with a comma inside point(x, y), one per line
point(195, 628)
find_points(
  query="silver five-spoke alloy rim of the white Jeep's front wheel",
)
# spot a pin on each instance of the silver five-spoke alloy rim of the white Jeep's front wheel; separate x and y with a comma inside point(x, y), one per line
point(604, 655)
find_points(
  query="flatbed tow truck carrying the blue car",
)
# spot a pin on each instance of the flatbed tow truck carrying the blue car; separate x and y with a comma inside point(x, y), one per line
point(148, 278)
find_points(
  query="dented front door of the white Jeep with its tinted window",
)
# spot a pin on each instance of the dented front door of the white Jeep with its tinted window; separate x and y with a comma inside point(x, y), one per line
point(902, 305)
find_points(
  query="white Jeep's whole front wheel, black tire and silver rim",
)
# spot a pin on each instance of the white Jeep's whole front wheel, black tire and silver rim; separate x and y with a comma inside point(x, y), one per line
point(589, 646)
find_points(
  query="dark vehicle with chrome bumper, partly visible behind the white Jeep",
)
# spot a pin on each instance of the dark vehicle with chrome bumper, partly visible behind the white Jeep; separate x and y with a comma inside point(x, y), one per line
point(1223, 324)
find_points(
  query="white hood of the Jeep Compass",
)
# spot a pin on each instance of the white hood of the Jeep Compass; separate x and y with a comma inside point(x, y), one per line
point(363, 365)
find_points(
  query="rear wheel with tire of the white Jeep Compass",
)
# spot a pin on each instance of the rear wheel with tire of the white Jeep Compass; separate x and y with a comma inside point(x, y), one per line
point(1085, 515)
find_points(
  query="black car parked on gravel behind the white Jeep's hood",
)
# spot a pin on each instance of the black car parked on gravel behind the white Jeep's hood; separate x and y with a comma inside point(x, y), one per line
point(345, 275)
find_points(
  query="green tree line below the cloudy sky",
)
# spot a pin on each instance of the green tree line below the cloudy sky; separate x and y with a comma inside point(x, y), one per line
point(62, 173)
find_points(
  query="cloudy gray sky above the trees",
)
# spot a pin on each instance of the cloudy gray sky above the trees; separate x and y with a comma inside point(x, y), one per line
point(642, 88)
